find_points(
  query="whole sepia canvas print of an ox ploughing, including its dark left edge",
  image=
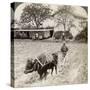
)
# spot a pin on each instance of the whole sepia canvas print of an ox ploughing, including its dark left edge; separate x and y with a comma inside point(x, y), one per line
point(49, 44)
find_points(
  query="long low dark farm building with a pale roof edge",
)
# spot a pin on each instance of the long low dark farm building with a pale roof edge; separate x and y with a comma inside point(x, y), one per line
point(34, 34)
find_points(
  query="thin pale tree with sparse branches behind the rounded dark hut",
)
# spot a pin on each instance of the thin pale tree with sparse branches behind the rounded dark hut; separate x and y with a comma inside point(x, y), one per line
point(64, 17)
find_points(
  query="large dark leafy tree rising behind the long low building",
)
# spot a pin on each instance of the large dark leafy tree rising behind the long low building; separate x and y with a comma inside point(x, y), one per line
point(35, 14)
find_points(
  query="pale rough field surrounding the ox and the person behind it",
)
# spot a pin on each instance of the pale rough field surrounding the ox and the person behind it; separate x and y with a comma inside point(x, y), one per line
point(75, 70)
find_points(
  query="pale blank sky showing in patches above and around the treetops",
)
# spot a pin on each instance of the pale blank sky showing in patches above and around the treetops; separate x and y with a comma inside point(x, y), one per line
point(77, 10)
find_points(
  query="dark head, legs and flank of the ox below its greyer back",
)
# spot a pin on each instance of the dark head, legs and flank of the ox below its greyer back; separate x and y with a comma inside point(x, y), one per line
point(35, 65)
